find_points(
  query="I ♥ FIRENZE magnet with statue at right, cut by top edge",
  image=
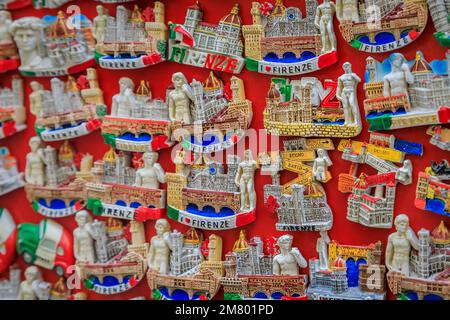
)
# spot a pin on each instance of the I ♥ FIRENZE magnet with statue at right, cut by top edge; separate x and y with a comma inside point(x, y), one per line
point(285, 41)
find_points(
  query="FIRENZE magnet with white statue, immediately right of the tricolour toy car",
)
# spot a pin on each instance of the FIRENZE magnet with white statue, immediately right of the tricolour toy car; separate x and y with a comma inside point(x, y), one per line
point(110, 257)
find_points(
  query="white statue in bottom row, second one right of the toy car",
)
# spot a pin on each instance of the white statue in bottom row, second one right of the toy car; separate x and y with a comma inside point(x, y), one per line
point(160, 247)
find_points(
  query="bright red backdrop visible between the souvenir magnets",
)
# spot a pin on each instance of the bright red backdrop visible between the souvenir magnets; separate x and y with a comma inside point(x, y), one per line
point(256, 86)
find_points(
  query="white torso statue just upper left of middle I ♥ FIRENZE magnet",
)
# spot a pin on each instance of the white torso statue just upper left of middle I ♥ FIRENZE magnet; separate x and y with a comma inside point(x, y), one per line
point(151, 174)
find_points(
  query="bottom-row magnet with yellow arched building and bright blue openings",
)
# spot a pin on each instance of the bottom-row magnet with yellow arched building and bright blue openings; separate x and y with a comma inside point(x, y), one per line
point(345, 272)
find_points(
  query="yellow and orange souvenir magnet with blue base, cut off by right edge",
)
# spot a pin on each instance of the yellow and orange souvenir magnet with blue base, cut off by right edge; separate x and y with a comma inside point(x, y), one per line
point(433, 188)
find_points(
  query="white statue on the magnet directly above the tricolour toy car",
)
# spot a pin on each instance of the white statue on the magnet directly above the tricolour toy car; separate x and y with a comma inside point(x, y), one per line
point(35, 164)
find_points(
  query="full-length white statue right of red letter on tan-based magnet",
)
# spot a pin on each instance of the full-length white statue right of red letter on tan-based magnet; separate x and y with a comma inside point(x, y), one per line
point(347, 94)
